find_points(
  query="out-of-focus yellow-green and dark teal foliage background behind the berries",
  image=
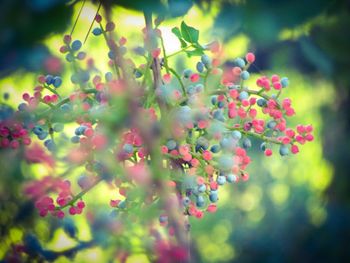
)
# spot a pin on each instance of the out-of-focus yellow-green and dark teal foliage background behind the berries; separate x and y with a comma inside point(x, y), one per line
point(293, 209)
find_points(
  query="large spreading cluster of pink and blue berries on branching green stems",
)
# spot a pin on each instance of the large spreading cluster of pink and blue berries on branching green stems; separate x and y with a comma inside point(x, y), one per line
point(197, 125)
